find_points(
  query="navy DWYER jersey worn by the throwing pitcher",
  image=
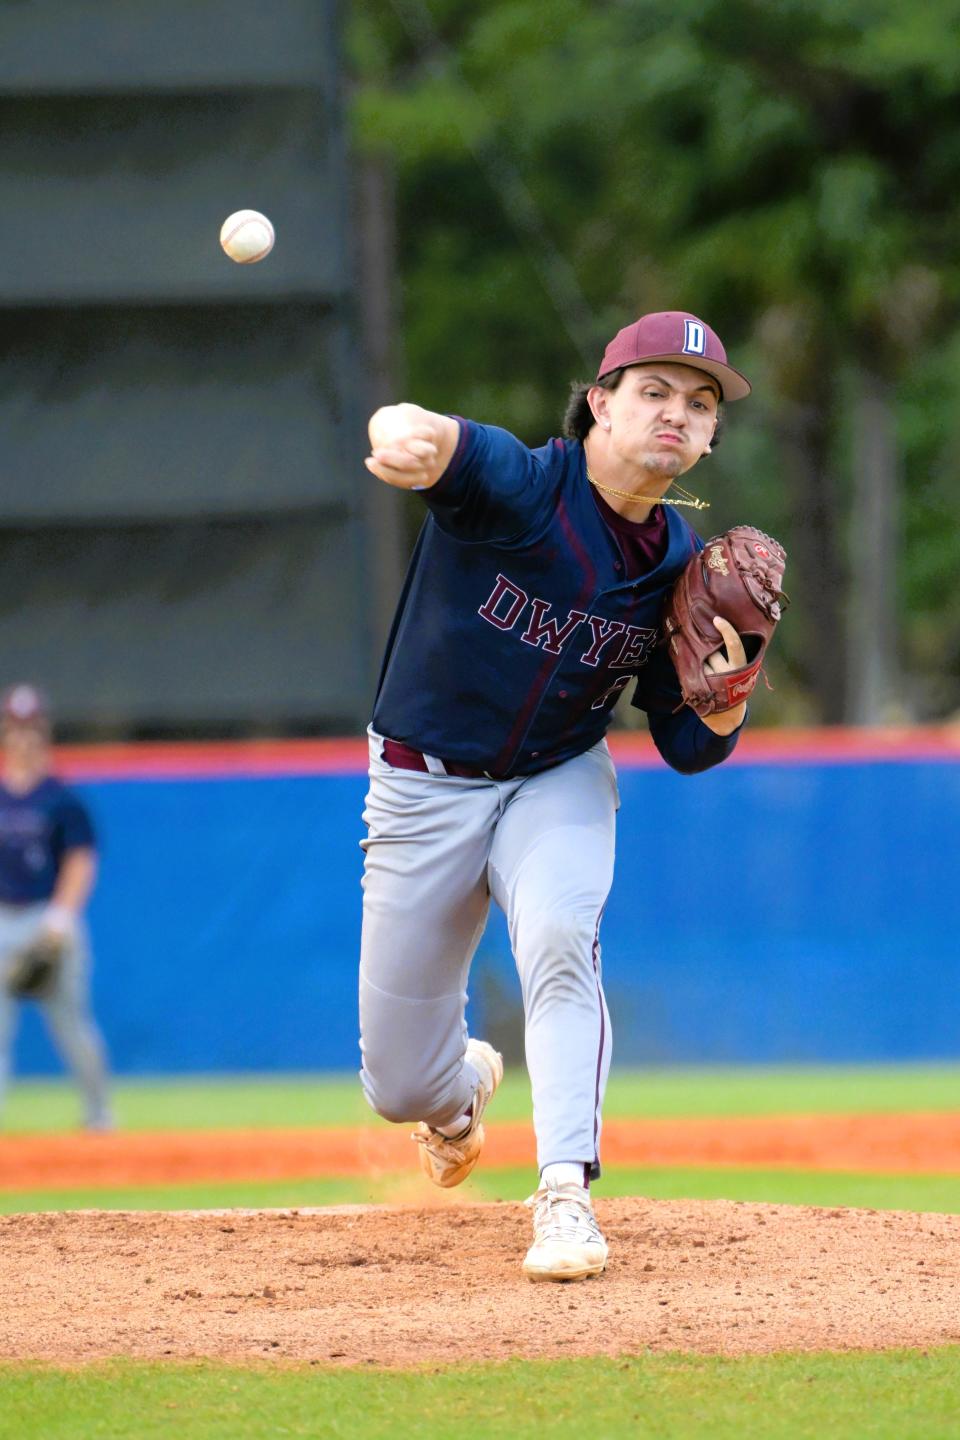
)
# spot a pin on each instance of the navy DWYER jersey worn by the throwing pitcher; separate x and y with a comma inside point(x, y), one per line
point(517, 629)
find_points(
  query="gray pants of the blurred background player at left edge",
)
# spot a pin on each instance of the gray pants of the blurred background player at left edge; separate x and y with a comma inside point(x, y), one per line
point(67, 1012)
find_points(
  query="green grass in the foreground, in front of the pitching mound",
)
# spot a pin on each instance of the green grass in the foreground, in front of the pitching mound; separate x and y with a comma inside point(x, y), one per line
point(895, 1396)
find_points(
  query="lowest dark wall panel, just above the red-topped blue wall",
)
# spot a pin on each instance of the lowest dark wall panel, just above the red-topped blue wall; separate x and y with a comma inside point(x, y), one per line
point(247, 626)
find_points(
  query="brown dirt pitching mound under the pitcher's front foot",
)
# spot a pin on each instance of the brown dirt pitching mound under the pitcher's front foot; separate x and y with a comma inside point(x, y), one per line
point(355, 1285)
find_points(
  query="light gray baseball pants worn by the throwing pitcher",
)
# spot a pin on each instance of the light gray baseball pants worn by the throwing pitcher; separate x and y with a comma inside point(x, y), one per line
point(437, 850)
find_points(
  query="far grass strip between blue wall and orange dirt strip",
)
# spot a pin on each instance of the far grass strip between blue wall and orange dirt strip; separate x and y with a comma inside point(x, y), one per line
point(231, 1102)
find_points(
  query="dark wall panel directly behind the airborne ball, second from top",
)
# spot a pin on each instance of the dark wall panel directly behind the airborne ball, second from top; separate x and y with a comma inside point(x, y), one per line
point(123, 198)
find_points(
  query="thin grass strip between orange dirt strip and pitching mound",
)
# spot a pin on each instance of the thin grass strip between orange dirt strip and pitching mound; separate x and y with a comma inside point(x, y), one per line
point(936, 1193)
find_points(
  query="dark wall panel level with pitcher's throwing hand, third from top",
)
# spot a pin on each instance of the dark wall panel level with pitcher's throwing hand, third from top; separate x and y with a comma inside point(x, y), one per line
point(116, 414)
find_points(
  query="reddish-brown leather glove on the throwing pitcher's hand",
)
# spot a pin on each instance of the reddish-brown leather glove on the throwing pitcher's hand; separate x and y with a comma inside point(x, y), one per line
point(738, 577)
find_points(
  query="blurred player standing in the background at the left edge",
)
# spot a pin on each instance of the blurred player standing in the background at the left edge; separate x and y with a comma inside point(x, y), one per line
point(48, 866)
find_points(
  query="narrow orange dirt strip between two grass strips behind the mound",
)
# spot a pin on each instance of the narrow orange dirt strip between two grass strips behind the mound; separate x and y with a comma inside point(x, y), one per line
point(892, 1144)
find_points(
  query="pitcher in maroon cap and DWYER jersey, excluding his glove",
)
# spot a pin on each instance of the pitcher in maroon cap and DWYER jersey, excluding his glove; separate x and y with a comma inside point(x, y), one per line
point(533, 598)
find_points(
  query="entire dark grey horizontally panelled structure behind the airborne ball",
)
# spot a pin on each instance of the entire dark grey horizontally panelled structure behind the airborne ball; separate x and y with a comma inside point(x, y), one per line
point(182, 493)
